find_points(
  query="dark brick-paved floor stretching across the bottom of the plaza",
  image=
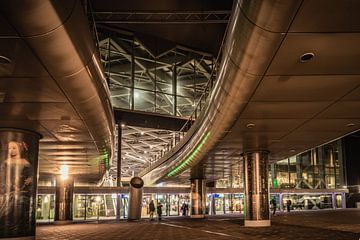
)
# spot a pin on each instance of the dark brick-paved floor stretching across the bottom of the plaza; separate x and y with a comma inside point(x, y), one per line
point(325, 224)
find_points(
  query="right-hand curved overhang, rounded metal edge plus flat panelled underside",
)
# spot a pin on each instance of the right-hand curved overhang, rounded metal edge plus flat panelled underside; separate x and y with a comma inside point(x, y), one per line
point(266, 96)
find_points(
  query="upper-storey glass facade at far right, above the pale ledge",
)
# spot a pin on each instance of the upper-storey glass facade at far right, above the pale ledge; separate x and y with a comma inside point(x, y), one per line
point(319, 168)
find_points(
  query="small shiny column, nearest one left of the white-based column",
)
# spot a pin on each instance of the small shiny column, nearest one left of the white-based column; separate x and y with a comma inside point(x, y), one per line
point(197, 198)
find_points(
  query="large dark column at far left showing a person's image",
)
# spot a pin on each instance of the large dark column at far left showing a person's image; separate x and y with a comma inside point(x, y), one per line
point(18, 182)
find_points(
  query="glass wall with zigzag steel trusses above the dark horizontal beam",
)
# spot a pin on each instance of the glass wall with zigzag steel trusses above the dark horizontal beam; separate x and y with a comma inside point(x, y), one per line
point(141, 79)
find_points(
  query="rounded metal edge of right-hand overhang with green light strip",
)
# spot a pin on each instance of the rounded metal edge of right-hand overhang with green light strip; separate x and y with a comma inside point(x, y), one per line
point(249, 47)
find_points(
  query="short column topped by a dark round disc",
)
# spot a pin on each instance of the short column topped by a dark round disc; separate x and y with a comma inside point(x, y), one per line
point(135, 198)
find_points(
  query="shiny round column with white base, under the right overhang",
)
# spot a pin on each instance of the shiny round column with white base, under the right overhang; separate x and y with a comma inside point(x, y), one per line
point(256, 189)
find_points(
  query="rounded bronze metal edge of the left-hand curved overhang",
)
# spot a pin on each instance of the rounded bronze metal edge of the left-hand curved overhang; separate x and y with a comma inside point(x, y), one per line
point(58, 34)
